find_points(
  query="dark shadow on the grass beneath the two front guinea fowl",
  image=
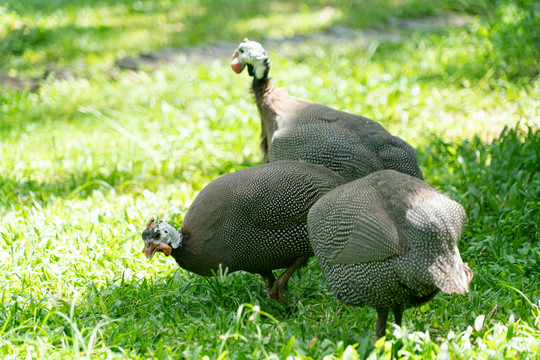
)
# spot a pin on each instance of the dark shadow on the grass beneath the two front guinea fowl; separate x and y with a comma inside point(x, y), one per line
point(176, 308)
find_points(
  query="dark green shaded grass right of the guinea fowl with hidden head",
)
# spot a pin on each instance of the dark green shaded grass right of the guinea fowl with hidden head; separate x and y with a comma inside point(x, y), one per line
point(499, 183)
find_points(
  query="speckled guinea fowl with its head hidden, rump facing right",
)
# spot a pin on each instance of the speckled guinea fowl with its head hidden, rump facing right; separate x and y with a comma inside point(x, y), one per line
point(389, 241)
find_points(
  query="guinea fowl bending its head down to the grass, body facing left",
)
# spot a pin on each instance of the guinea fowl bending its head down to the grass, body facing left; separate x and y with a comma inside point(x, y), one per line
point(253, 220)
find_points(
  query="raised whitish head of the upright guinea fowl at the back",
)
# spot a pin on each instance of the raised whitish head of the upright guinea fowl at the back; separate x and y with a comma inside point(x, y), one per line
point(252, 55)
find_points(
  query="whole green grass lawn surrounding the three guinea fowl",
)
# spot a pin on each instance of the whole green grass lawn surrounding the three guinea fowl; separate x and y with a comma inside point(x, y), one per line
point(85, 162)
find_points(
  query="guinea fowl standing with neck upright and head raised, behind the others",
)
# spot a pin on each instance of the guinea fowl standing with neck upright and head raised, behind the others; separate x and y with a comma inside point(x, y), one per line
point(297, 129)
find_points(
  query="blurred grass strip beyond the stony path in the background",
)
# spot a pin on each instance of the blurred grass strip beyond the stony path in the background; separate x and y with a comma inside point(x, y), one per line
point(40, 35)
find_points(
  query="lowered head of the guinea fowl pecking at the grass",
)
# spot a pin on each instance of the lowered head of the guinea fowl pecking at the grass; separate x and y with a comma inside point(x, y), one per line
point(160, 237)
